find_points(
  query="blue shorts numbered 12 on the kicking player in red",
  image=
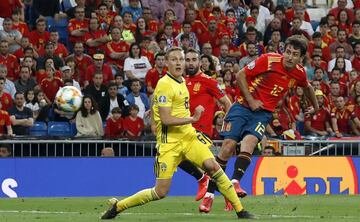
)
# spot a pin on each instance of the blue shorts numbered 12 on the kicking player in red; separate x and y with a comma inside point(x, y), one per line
point(241, 121)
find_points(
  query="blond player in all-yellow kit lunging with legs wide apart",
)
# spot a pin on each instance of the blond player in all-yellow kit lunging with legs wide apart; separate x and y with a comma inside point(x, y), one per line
point(177, 140)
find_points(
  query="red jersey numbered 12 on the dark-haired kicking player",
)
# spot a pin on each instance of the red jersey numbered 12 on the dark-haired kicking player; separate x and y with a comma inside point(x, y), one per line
point(268, 80)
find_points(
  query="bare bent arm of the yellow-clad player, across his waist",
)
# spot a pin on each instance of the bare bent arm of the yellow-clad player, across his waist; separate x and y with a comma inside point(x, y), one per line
point(169, 120)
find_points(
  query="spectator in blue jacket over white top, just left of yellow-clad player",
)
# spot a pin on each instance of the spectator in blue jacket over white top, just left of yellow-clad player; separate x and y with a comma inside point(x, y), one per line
point(138, 98)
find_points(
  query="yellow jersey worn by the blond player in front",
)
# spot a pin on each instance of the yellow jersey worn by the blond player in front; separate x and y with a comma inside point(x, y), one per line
point(170, 92)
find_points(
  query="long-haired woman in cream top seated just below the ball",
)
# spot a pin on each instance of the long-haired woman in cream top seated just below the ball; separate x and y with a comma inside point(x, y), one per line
point(88, 119)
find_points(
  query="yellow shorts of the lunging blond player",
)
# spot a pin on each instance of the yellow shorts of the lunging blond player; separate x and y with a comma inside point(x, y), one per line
point(194, 148)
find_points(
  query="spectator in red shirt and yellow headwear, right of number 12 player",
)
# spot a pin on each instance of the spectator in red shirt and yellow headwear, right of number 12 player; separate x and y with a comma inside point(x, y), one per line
point(318, 124)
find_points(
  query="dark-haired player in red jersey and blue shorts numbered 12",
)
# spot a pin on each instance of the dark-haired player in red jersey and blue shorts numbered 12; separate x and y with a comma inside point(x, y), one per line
point(263, 83)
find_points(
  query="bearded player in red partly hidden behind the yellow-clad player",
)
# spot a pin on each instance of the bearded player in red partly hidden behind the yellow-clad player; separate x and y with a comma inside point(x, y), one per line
point(204, 91)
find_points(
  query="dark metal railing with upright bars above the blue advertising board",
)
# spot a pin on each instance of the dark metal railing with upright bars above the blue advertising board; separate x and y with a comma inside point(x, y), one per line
point(75, 147)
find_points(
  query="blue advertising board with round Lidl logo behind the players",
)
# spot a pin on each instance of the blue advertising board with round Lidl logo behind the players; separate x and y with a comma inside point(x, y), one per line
point(72, 177)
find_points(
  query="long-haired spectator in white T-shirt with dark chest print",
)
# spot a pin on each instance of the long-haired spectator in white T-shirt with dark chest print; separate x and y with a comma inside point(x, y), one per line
point(136, 66)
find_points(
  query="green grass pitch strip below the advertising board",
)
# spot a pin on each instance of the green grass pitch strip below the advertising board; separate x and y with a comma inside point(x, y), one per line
point(174, 209)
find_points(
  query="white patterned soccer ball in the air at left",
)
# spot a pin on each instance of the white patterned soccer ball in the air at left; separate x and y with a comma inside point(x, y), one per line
point(69, 98)
